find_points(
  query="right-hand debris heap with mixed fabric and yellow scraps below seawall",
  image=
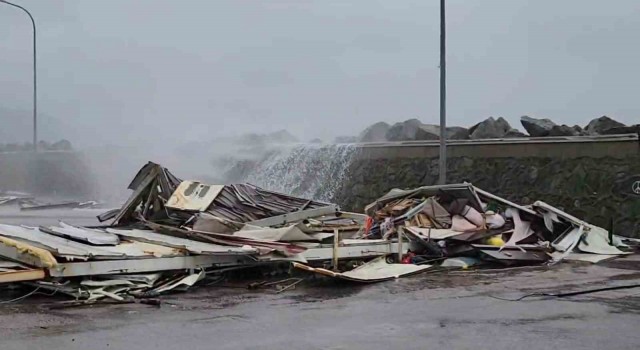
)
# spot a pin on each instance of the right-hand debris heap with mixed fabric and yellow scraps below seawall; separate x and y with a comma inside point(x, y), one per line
point(450, 222)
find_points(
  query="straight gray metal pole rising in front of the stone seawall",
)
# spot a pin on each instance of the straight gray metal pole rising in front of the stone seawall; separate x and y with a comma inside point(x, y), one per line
point(442, 165)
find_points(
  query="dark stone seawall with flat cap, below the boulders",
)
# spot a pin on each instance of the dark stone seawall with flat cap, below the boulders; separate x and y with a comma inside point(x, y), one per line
point(590, 178)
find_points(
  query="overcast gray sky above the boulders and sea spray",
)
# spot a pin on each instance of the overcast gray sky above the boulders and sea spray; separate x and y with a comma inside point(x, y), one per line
point(184, 70)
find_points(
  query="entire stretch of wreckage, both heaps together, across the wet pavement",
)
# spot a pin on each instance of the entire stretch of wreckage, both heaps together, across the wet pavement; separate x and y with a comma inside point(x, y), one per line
point(171, 234)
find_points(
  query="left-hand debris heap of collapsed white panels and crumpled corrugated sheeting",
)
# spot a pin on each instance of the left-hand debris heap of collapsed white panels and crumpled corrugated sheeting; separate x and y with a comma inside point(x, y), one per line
point(170, 233)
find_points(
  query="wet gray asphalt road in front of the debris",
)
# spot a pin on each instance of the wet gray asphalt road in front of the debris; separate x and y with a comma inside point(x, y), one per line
point(455, 310)
